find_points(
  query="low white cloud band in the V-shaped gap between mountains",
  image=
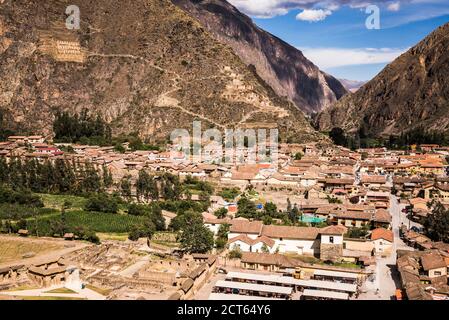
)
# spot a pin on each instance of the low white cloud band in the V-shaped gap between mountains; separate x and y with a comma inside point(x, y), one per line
point(326, 58)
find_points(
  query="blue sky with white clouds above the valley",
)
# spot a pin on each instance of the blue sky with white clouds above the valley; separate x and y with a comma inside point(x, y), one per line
point(333, 35)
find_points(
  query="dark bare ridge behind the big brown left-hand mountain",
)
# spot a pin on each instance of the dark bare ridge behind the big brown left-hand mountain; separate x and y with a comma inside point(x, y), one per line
point(281, 65)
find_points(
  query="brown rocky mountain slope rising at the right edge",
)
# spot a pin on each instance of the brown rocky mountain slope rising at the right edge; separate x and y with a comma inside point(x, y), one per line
point(411, 92)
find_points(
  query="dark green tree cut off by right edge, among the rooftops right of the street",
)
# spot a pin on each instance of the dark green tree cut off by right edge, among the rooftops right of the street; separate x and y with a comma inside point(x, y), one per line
point(437, 224)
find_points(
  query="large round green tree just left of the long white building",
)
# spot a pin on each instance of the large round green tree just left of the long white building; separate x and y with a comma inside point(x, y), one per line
point(196, 238)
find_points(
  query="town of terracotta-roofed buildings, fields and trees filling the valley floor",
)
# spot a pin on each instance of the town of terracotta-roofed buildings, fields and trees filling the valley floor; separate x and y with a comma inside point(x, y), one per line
point(323, 223)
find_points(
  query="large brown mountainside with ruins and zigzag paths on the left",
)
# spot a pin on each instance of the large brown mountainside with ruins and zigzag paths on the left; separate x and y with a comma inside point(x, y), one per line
point(144, 65)
